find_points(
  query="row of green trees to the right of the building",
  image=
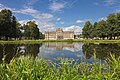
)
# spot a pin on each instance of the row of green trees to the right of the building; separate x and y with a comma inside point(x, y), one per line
point(109, 28)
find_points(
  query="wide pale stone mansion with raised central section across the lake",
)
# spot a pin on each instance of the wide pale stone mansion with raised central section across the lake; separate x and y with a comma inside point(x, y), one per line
point(59, 34)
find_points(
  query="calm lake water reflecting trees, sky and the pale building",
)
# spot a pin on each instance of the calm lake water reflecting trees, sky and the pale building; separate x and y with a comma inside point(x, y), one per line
point(54, 51)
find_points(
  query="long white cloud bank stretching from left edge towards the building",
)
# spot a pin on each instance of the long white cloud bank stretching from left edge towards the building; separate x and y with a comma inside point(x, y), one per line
point(42, 19)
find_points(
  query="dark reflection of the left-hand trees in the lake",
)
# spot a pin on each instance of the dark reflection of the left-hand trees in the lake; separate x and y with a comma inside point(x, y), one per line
point(13, 50)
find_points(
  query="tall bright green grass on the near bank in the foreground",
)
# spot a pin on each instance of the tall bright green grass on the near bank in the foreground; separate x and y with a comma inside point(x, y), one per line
point(26, 68)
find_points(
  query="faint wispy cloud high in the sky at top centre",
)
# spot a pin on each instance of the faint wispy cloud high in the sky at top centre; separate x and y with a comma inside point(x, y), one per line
point(57, 6)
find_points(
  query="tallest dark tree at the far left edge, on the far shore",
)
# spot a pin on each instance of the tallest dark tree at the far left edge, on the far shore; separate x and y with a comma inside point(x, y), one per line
point(8, 28)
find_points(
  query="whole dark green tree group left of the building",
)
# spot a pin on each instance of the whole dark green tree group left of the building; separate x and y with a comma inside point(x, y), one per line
point(11, 29)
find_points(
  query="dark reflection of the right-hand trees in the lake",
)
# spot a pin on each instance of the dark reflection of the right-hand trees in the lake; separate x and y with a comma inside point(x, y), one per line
point(102, 51)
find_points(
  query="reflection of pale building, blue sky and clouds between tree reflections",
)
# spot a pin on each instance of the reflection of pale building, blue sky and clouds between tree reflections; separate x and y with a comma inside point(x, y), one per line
point(60, 50)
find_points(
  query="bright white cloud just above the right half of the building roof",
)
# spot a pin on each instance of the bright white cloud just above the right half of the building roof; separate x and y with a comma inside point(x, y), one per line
point(76, 29)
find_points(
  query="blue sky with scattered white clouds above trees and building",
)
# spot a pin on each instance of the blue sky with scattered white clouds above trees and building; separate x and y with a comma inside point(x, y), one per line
point(70, 15)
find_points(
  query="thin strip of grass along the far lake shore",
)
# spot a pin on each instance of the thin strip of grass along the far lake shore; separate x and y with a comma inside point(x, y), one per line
point(40, 41)
